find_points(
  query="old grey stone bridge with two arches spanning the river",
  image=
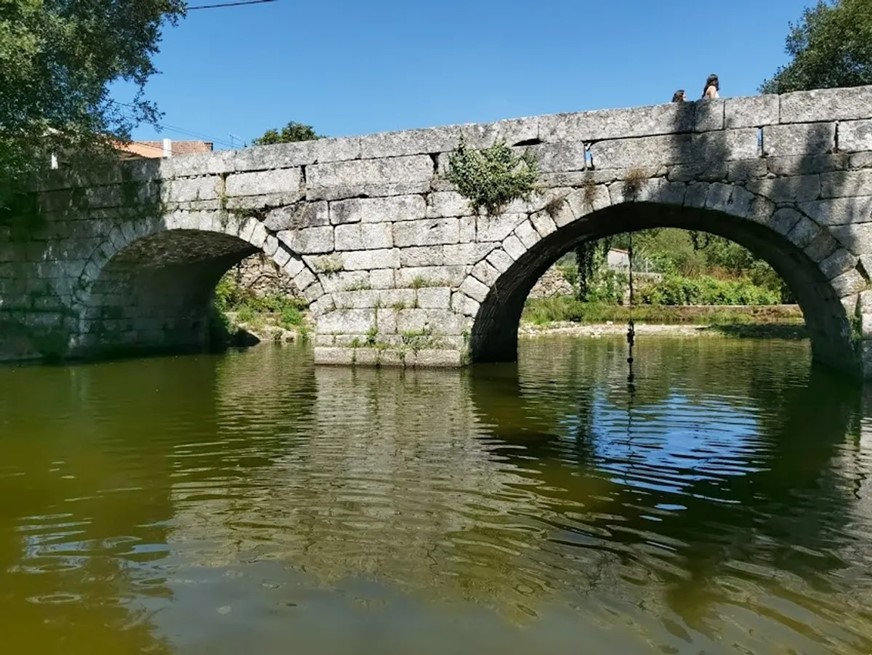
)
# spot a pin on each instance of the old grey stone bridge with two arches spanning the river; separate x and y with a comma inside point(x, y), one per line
point(397, 267)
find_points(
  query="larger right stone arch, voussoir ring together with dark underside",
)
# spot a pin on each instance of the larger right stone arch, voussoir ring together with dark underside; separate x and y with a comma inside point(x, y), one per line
point(824, 277)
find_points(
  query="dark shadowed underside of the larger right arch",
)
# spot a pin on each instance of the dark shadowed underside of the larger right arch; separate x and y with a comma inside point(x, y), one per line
point(494, 336)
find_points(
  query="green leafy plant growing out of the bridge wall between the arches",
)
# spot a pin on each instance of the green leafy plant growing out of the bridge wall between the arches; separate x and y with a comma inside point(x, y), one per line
point(493, 177)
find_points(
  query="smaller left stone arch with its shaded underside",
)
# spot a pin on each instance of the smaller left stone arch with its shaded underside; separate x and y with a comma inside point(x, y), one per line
point(148, 286)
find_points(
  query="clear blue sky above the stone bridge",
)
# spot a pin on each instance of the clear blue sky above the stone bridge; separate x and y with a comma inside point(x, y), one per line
point(359, 66)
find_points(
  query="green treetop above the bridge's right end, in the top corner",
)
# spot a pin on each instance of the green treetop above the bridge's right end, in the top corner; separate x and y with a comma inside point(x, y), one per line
point(830, 46)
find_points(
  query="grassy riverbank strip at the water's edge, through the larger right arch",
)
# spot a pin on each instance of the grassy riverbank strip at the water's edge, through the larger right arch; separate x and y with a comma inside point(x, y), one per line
point(565, 309)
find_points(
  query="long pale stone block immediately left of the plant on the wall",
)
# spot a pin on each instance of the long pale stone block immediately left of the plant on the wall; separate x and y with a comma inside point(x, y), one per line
point(390, 176)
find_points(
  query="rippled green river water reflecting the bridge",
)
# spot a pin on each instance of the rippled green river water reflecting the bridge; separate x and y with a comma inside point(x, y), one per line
point(252, 503)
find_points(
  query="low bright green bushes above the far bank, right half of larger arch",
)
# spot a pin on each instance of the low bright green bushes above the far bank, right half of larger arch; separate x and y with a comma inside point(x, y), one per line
point(706, 290)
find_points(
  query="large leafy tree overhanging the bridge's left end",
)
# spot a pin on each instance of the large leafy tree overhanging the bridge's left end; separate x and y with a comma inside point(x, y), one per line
point(57, 61)
